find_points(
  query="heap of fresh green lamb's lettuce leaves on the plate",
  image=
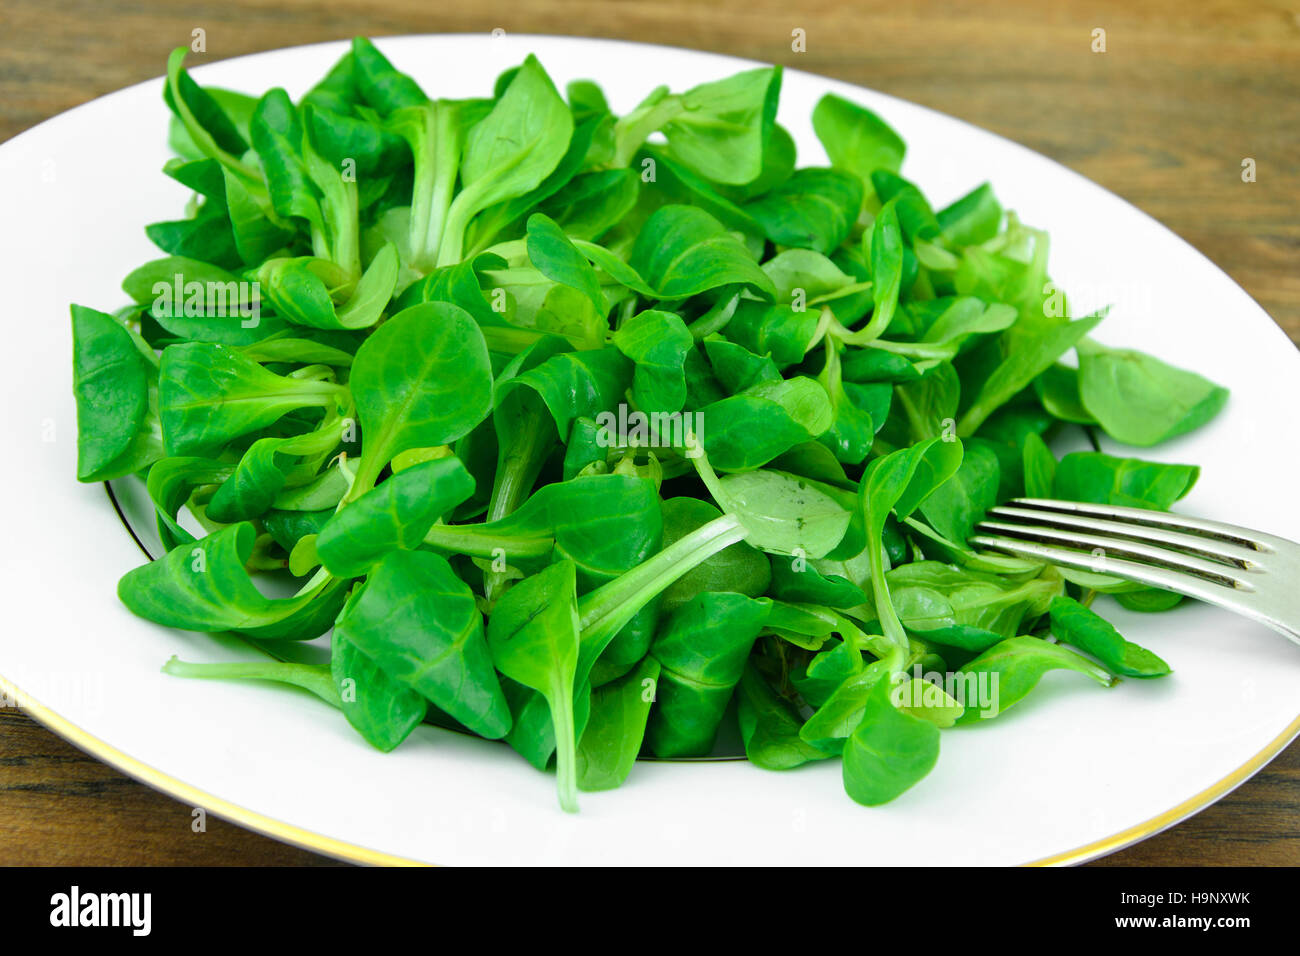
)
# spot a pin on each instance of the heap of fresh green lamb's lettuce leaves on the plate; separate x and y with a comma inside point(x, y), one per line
point(612, 436)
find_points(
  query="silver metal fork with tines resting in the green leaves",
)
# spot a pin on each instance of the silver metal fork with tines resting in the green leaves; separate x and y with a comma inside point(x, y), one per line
point(1247, 572)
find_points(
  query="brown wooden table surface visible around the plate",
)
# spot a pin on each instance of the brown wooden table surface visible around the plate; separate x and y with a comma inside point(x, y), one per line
point(1164, 118)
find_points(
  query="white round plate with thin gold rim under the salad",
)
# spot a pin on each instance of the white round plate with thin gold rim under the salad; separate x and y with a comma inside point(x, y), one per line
point(1072, 773)
